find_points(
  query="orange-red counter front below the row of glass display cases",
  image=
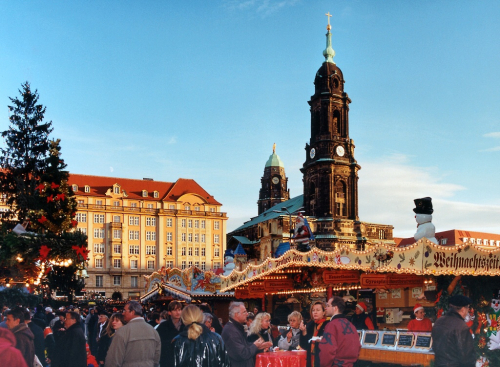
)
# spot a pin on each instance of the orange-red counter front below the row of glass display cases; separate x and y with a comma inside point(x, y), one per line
point(396, 357)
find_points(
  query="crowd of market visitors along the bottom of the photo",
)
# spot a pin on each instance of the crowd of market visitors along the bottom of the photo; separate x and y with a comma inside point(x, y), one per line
point(186, 336)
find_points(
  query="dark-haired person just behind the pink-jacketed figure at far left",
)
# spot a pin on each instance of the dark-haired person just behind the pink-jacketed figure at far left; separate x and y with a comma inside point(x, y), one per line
point(24, 336)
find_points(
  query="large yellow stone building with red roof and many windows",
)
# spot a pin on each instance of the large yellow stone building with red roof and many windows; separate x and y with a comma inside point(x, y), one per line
point(137, 226)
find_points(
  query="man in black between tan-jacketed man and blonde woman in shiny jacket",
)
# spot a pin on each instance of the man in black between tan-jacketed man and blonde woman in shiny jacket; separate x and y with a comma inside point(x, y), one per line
point(168, 330)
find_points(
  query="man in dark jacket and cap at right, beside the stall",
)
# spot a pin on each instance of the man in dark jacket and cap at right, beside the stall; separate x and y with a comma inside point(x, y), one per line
point(451, 338)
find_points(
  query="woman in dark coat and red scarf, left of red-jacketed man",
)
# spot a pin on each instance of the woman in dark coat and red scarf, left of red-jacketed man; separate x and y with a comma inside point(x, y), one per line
point(313, 329)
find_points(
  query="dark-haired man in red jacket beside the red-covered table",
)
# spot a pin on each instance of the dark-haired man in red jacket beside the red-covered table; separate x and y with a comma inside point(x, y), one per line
point(340, 343)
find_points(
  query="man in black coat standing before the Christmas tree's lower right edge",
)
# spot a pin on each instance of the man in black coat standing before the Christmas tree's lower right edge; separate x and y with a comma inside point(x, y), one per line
point(70, 347)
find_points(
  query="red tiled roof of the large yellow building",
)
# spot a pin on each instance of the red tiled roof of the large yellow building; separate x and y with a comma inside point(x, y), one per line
point(133, 188)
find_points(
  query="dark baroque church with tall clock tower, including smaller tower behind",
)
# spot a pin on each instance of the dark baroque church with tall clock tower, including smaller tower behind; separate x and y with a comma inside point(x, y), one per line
point(330, 179)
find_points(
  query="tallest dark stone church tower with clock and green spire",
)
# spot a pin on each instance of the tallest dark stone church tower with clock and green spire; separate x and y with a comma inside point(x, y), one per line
point(330, 170)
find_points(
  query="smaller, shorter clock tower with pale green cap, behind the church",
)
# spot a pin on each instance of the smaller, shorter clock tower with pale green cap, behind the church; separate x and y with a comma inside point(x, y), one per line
point(274, 183)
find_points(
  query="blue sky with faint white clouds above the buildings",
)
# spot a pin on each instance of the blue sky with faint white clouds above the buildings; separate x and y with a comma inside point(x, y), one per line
point(202, 90)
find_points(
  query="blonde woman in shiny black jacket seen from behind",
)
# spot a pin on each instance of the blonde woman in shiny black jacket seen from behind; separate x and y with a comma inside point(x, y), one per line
point(197, 346)
